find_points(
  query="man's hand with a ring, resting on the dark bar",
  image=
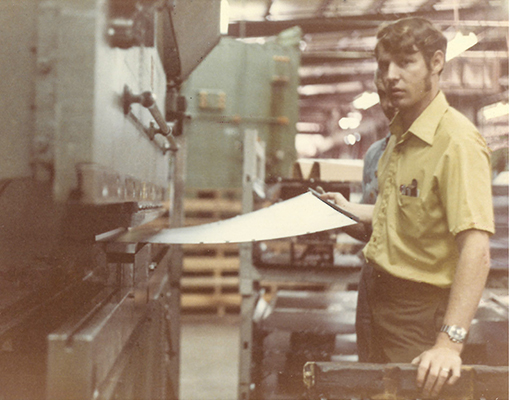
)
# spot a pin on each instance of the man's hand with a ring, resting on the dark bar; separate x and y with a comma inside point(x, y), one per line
point(435, 367)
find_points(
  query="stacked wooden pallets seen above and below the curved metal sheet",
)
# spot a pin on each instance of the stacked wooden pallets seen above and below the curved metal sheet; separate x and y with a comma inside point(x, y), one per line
point(210, 278)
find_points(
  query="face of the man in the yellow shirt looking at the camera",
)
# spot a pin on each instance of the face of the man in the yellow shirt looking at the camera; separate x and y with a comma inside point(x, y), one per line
point(407, 79)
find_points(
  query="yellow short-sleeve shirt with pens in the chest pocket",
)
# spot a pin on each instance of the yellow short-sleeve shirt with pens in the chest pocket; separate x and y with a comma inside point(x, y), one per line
point(434, 182)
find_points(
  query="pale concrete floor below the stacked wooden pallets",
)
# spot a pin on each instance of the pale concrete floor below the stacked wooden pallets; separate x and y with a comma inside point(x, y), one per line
point(209, 357)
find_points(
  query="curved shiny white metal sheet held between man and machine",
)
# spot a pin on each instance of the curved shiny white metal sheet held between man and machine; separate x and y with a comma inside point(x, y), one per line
point(299, 215)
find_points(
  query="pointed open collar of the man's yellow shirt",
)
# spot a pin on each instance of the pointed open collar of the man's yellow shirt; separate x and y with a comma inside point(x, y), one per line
point(425, 126)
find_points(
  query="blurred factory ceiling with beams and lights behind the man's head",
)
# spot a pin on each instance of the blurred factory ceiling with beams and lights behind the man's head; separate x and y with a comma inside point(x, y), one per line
point(338, 40)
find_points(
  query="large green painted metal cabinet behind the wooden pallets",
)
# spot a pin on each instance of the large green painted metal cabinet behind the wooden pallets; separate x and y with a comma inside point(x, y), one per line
point(242, 86)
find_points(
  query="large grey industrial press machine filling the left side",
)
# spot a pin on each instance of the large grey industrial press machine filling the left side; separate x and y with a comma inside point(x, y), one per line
point(90, 146)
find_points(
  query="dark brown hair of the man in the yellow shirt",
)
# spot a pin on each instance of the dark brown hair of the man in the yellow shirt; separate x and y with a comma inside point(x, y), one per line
point(409, 35)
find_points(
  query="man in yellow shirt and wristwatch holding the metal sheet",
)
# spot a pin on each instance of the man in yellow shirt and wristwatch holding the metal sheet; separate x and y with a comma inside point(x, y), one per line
point(433, 216)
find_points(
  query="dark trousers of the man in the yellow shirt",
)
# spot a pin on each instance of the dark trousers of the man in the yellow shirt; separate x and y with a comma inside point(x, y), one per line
point(405, 317)
